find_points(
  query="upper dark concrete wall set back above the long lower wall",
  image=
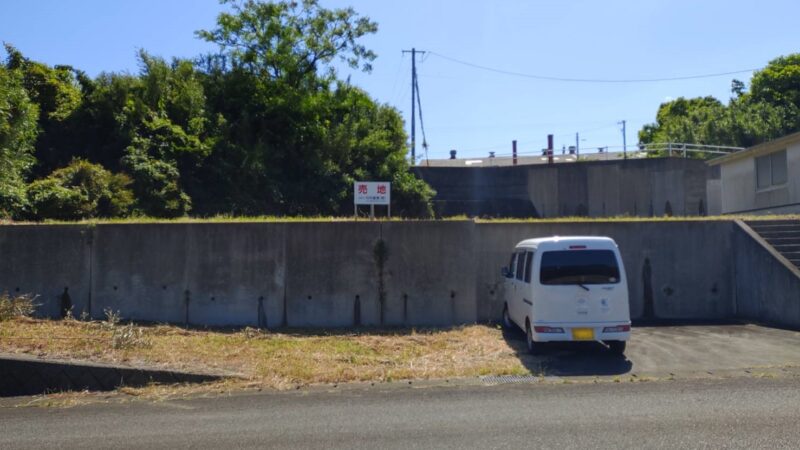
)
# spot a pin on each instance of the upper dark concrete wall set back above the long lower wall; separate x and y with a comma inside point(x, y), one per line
point(636, 187)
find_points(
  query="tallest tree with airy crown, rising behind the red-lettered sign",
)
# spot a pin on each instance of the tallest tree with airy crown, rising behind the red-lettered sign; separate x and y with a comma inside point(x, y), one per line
point(292, 138)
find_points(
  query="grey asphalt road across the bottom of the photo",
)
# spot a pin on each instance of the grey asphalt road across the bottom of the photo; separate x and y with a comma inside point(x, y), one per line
point(744, 412)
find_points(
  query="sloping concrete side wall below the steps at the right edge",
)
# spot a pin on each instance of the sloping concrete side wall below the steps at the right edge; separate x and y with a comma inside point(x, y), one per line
point(767, 286)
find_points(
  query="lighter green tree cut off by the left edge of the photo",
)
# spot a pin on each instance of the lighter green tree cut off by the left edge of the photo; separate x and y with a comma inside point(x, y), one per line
point(18, 131)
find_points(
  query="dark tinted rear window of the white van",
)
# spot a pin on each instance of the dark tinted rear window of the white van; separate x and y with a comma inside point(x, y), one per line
point(579, 267)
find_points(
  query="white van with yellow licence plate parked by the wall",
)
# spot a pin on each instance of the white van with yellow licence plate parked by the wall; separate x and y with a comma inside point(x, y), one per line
point(568, 289)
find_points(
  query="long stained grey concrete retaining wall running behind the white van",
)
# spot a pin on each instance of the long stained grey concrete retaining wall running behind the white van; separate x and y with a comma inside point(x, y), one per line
point(323, 274)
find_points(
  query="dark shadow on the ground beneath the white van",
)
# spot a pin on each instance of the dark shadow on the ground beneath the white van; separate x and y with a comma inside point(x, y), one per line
point(568, 358)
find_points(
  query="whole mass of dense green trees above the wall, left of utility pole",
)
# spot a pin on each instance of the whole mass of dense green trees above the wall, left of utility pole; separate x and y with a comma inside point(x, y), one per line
point(263, 126)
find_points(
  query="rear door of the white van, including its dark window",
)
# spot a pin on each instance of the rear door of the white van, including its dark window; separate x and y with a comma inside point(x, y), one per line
point(581, 285)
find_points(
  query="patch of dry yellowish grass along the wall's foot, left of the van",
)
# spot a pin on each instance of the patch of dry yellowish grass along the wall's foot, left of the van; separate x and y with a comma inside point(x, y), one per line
point(276, 359)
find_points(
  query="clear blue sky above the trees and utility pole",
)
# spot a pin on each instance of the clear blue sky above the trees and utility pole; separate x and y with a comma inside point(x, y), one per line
point(471, 110)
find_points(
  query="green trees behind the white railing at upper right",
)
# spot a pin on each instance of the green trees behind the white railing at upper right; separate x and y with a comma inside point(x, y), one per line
point(768, 110)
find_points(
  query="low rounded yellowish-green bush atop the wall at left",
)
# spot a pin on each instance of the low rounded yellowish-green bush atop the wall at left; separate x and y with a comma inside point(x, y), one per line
point(81, 190)
